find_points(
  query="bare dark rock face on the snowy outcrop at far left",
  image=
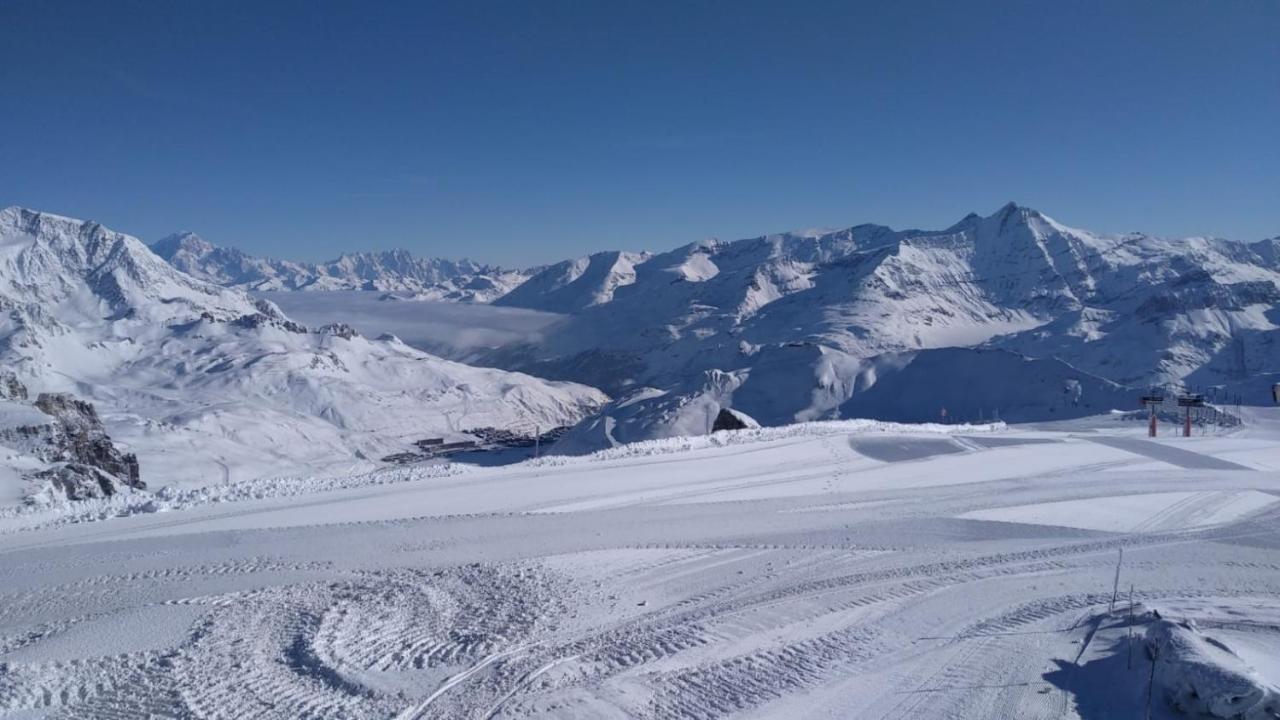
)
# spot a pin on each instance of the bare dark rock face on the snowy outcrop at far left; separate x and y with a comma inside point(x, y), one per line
point(86, 444)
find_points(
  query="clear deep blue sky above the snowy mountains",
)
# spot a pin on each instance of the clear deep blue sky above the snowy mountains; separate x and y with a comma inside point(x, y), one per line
point(531, 131)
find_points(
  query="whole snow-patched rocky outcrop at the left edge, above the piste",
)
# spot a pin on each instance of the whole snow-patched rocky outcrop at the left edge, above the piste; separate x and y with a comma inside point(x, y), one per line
point(84, 463)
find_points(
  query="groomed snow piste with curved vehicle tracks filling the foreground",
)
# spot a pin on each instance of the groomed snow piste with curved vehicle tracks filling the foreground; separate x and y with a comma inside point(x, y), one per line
point(845, 569)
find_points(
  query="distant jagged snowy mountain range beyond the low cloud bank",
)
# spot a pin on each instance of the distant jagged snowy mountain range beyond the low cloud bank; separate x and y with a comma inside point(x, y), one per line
point(395, 271)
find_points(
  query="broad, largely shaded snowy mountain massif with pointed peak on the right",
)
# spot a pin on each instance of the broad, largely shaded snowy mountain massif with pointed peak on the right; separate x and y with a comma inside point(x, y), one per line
point(1009, 313)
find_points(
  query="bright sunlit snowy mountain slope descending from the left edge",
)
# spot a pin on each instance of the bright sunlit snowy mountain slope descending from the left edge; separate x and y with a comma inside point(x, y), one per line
point(203, 382)
